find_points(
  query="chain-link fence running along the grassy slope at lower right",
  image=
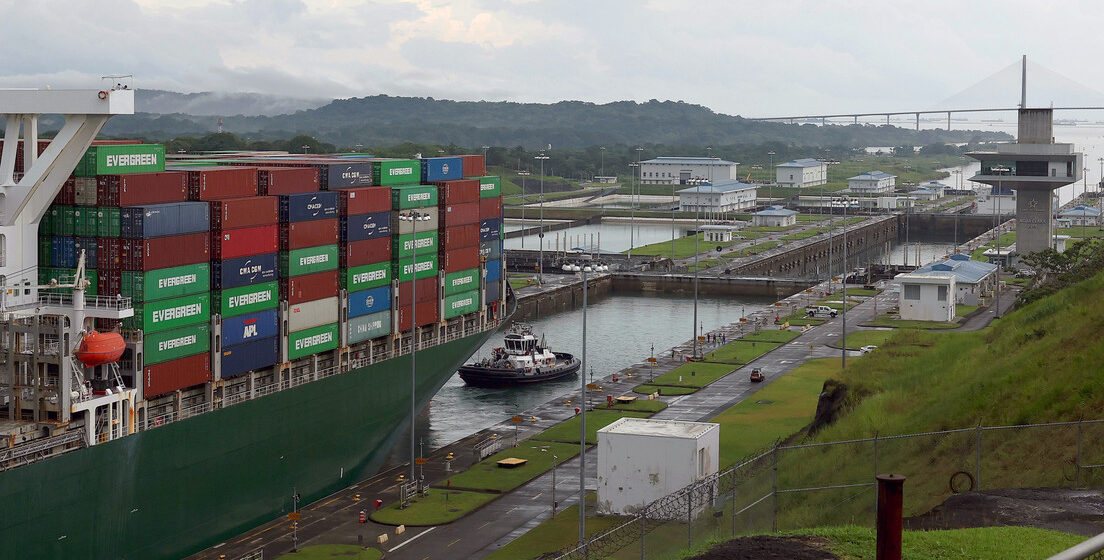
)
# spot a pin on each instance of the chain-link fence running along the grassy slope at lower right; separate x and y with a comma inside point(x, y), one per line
point(826, 484)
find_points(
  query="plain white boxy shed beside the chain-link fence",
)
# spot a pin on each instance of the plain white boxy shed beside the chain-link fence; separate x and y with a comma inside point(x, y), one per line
point(643, 460)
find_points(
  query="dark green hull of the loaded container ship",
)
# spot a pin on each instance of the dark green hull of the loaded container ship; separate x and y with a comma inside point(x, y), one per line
point(179, 489)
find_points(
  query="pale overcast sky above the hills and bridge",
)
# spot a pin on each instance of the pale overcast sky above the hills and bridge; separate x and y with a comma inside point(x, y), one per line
point(753, 59)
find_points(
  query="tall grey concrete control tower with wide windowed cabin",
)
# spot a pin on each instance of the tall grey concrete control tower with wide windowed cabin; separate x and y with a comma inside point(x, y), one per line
point(1035, 167)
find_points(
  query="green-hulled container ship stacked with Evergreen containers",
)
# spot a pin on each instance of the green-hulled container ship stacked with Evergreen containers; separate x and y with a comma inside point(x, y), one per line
point(264, 309)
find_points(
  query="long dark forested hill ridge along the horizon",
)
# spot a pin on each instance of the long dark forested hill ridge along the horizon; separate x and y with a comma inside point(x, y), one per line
point(383, 120)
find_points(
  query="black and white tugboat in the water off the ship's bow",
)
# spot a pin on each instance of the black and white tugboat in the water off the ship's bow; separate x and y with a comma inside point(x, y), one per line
point(522, 362)
